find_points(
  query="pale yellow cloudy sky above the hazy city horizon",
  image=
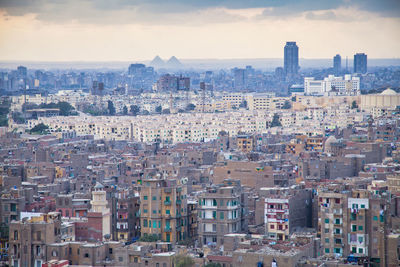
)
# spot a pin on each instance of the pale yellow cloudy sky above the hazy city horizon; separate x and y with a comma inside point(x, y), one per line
point(128, 30)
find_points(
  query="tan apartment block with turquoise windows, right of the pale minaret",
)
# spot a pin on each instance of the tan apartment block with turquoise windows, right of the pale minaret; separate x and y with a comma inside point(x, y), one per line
point(163, 210)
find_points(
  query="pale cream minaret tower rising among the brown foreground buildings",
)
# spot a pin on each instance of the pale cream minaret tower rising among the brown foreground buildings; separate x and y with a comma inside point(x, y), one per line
point(99, 204)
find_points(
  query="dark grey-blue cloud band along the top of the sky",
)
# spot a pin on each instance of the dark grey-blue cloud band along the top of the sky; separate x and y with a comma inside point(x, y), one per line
point(184, 11)
